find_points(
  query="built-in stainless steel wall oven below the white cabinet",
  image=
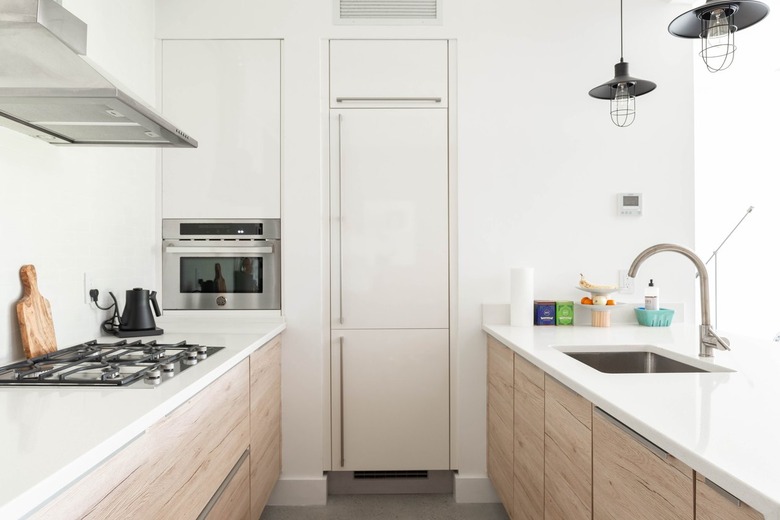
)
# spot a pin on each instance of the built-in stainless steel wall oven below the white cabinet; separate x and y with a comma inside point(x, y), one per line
point(221, 264)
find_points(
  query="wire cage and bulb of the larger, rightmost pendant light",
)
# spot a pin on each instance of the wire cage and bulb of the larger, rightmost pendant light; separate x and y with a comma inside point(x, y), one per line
point(717, 38)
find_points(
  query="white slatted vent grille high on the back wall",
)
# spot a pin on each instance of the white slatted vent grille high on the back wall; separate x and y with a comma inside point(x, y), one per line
point(388, 12)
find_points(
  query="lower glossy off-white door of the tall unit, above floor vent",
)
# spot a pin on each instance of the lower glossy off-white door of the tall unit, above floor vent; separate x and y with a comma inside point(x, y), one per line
point(390, 400)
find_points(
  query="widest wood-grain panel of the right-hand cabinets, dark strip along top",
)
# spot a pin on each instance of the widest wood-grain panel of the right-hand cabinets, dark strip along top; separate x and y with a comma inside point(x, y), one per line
point(632, 478)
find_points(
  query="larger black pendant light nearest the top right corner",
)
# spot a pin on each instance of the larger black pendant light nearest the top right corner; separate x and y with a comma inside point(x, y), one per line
point(715, 24)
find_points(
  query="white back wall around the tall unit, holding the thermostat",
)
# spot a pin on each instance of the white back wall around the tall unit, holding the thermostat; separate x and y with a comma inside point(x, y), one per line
point(539, 163)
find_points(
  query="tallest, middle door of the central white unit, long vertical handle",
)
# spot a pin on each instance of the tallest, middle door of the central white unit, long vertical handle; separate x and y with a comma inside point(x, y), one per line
point(389, 208)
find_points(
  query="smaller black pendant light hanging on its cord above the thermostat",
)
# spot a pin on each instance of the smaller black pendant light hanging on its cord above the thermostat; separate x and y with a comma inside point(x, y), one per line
point(623, 89)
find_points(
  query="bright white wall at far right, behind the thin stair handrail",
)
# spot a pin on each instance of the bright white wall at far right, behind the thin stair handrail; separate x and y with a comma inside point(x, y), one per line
point(736, 167)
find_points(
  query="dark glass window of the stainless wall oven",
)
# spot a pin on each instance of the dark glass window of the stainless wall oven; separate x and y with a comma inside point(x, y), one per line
point(221, 275)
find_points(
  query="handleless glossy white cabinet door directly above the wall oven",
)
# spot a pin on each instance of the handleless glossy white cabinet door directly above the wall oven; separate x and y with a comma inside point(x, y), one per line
point(228, 94)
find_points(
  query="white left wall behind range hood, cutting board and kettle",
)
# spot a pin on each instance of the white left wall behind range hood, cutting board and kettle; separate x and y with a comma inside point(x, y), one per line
point(74, 210)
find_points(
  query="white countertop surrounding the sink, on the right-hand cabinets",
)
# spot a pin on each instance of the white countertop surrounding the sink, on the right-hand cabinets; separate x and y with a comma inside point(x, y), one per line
point(725, 425)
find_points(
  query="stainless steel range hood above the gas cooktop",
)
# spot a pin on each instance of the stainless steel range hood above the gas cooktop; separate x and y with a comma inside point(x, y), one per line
point(50, 90)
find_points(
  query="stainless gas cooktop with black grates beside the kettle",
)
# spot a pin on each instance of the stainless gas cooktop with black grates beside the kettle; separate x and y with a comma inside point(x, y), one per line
point(120, 363)
